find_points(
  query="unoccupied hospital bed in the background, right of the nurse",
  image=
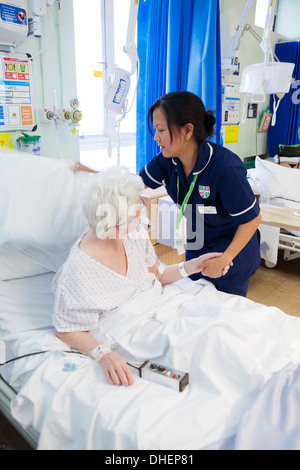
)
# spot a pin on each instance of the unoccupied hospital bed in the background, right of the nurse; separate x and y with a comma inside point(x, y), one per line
point(280, 207)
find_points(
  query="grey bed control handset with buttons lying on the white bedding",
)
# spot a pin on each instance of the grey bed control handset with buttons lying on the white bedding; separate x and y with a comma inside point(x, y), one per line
point(164, 375)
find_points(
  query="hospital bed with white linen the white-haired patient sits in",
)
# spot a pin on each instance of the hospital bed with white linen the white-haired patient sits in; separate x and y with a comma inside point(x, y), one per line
point(237, 352)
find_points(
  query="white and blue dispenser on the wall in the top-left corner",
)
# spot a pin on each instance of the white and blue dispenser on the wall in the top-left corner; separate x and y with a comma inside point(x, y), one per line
point(13, 22)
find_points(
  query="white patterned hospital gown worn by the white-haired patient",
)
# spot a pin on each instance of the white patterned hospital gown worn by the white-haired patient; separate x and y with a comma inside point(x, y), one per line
point(84, 288)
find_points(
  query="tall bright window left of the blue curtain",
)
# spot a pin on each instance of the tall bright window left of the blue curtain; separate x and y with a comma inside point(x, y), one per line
point(100, 36)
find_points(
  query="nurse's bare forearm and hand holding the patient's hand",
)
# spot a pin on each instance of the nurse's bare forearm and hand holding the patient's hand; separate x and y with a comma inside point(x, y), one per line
point(214, 267)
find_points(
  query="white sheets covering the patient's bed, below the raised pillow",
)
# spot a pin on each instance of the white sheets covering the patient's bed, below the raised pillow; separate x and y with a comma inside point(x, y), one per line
point(230, 346)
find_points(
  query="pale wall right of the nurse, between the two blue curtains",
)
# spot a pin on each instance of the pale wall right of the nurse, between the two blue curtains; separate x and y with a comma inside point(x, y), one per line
point(250, 141)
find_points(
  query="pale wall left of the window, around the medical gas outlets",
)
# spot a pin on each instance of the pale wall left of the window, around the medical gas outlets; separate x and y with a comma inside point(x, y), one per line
point(54, 69)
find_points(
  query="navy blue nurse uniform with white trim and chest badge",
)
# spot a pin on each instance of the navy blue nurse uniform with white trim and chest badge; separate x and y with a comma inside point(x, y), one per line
point(222, 199)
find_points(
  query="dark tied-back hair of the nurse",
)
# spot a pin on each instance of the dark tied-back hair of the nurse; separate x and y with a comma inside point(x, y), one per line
point(181, 108)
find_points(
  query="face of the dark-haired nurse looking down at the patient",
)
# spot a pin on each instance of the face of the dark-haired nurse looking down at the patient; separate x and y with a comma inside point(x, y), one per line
point(169, 147)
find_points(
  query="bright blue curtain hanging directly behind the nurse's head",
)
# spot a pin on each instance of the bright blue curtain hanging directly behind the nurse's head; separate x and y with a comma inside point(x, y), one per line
point(179, 49)
